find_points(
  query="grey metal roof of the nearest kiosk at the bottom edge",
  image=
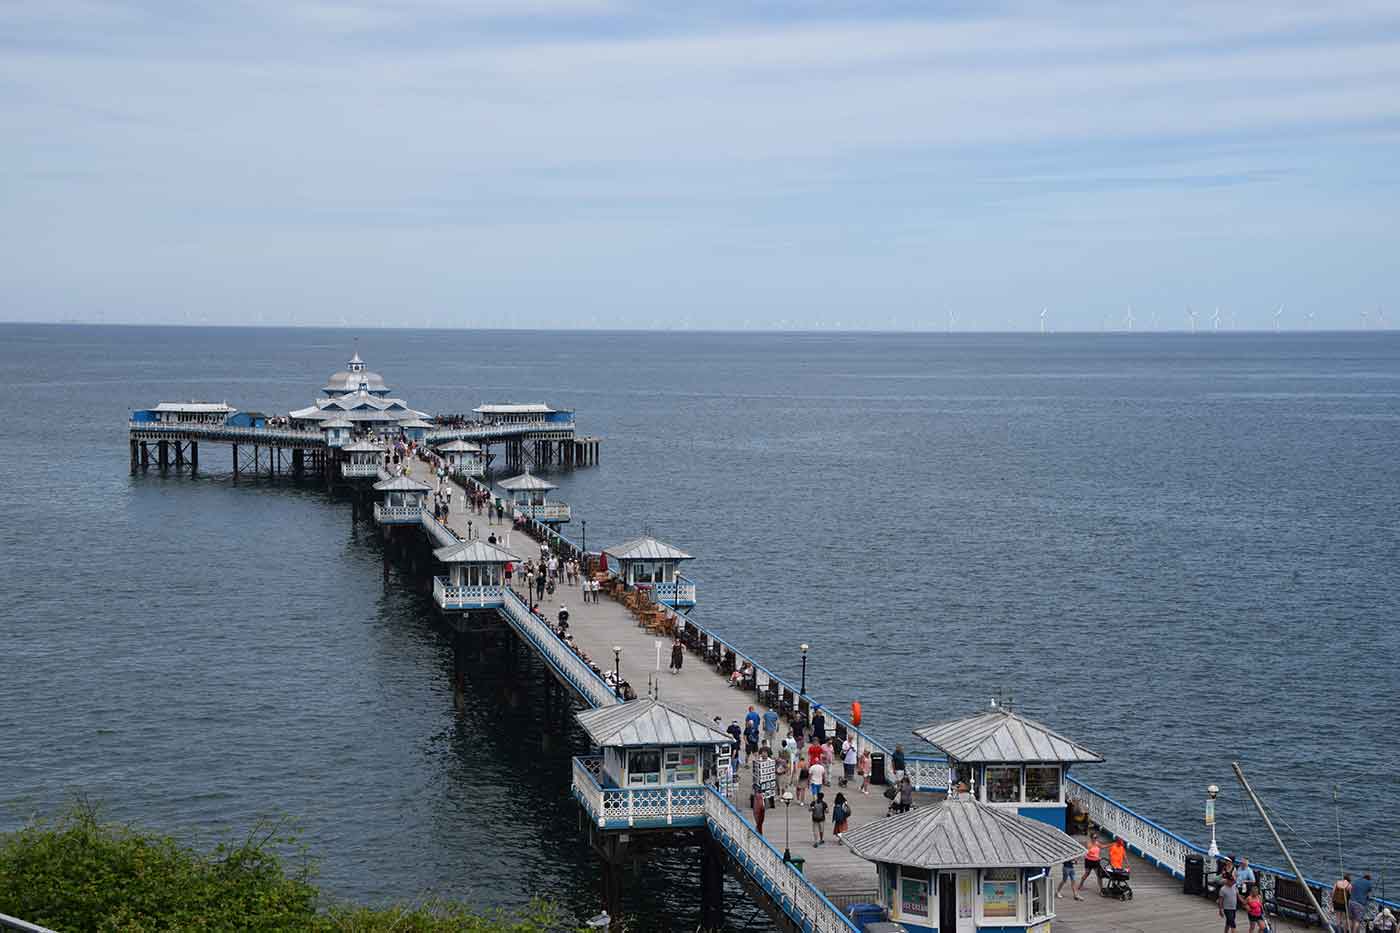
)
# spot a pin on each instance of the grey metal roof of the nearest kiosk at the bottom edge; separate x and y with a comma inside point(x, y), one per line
point(962, 834)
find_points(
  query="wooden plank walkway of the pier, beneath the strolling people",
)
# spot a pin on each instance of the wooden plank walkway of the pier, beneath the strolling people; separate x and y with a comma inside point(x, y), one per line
point(1157, 907)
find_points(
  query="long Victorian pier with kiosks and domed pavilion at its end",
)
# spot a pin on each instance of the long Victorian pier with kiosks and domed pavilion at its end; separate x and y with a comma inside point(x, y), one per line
point(615, 656)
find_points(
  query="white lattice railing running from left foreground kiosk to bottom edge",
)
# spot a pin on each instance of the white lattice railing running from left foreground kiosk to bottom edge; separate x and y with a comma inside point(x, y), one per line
point(792, 892)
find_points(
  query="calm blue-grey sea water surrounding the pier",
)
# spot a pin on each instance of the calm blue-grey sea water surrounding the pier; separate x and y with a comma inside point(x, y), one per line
point(1177, 550)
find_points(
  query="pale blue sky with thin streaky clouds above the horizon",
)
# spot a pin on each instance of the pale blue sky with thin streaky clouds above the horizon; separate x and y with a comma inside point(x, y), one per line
point(769, 165)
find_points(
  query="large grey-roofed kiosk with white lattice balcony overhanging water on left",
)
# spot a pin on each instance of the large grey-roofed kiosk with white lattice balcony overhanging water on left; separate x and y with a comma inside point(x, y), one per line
point(654, 763)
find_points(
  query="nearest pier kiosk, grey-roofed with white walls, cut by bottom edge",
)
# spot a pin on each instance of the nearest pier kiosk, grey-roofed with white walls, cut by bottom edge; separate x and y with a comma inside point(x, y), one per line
point(962, 866)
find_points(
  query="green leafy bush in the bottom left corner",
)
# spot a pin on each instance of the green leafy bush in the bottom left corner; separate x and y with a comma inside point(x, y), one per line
point(80, 875)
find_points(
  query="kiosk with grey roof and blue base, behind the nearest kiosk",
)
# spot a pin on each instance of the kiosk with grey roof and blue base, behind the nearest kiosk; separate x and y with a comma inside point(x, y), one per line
point(1010, 761)
